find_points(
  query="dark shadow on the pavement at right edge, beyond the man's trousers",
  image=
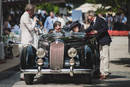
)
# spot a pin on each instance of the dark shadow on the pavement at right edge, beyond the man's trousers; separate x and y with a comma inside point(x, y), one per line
point(122, 61)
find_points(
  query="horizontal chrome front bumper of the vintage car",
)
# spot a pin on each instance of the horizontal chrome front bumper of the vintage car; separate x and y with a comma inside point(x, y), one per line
point(61, 71)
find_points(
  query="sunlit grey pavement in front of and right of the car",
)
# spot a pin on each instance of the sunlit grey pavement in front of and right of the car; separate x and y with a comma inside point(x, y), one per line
point(119, 66)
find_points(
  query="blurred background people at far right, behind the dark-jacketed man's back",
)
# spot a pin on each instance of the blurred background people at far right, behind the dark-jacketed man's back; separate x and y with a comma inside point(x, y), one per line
point(116, 22)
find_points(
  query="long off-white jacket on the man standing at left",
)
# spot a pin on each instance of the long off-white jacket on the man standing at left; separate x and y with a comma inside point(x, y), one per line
point(27, 26)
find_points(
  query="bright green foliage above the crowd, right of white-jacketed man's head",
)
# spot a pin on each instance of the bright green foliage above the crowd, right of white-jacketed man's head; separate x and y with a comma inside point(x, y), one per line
point(48, 7)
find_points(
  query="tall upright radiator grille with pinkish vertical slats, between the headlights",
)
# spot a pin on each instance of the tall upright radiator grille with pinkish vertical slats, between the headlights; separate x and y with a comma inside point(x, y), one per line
point(56, 55)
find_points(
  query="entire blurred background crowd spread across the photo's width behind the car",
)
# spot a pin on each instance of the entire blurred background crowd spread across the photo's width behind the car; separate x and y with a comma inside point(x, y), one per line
point(11, 22)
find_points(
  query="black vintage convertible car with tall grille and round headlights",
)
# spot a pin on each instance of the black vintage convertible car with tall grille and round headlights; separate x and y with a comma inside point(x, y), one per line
point(71, 53)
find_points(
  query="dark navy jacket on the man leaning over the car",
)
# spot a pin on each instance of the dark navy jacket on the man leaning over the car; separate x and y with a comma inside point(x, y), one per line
point(101, 26)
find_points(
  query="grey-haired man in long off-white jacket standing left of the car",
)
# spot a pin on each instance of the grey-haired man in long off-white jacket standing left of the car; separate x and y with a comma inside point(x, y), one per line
point(27, 26)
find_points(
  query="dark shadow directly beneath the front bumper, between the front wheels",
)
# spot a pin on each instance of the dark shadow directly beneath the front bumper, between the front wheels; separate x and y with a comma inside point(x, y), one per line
point(60, 79)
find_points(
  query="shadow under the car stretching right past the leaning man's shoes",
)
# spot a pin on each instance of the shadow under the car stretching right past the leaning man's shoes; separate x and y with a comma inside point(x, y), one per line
point(65, 79)
